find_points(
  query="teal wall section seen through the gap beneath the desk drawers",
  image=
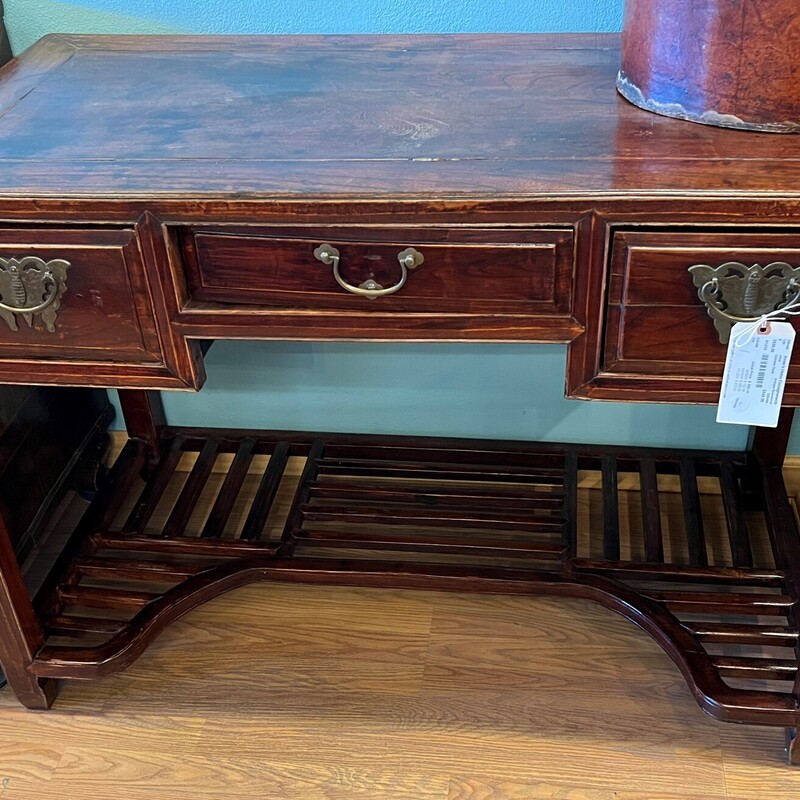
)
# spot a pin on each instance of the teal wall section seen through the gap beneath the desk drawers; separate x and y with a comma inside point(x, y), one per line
point(487, 390)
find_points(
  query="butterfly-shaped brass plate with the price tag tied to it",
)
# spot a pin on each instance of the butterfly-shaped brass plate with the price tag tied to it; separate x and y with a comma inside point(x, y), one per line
point(734, 292)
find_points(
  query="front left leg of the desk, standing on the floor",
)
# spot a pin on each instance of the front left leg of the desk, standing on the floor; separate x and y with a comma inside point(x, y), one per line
point(21, 634)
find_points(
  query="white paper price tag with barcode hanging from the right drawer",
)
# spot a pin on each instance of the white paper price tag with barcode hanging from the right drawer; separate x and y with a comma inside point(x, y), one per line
point(755, 374)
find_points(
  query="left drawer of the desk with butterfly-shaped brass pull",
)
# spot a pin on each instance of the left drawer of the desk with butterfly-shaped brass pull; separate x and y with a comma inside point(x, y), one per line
point(76, 307)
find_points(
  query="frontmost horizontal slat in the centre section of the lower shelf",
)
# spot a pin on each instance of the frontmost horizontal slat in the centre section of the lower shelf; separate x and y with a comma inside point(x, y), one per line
point(439, 544)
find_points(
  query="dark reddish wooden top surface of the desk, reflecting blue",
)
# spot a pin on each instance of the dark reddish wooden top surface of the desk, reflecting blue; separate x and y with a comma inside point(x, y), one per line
point(480, 116)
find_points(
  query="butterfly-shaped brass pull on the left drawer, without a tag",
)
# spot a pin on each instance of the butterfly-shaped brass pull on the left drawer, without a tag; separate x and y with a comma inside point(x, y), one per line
point(31, 286)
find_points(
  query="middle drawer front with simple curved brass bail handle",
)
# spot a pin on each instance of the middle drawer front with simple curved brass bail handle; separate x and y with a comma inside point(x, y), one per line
point(514, 273)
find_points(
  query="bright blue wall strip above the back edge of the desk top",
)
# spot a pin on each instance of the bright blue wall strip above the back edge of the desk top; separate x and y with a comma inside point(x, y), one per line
point(30, 19)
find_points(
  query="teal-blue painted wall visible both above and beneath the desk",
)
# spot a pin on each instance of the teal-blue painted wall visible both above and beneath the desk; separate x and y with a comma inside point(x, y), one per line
point(495, 391)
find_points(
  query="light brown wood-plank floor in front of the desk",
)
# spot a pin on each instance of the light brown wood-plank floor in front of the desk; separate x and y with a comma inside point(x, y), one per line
point(378, 694)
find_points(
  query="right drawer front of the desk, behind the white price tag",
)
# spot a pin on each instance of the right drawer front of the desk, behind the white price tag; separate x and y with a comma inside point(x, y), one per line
point(657, 341)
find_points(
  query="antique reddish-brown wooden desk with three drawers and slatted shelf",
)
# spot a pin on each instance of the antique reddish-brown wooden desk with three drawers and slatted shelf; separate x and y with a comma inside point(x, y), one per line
point(160, 193)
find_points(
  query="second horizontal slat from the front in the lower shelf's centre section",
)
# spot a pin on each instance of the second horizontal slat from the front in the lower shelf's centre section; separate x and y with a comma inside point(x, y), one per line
point(428, 518)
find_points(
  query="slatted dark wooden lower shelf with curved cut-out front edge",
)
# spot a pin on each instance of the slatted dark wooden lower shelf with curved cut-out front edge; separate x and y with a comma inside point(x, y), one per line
point(698, 549)
